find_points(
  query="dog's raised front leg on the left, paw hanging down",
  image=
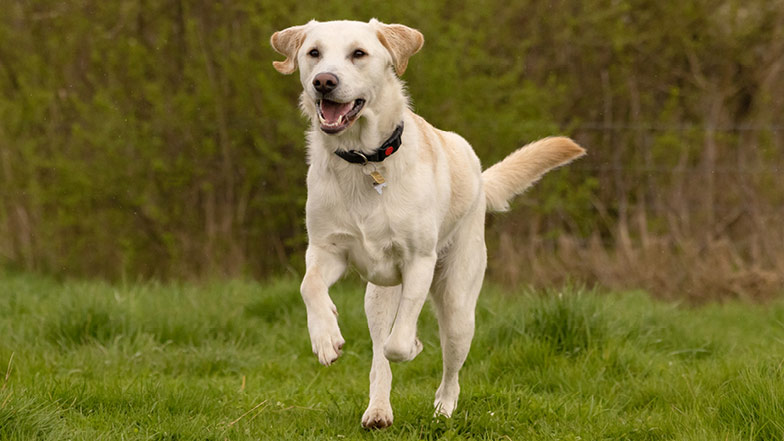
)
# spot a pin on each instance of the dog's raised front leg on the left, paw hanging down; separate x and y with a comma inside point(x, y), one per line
point(323, 268)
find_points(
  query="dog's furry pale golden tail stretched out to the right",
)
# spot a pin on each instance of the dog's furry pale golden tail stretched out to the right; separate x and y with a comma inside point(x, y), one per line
point(521, 169)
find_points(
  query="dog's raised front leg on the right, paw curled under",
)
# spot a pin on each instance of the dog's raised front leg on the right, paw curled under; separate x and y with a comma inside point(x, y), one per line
point(403, 344)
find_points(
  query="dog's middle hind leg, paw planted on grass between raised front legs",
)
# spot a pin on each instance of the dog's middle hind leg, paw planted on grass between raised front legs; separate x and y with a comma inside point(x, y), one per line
point(380, 306)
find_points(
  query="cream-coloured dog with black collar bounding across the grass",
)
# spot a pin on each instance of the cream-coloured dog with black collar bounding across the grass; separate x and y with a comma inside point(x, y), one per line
point(402, 201)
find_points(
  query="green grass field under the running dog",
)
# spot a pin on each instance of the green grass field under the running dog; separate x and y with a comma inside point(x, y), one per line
point(231, 360)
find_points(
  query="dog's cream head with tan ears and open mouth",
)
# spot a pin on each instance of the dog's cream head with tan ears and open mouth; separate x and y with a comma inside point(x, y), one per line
point(344, 65)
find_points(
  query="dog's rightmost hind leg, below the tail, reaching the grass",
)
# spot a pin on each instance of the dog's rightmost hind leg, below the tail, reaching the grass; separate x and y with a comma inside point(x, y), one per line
point(456, 287)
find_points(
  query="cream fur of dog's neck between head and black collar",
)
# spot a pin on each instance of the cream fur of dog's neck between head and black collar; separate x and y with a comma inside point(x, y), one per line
point(376, 123)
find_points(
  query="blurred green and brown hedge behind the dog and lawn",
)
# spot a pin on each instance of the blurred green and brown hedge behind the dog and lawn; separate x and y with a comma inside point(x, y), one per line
point(153, 139)
